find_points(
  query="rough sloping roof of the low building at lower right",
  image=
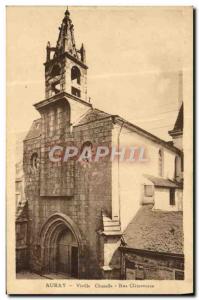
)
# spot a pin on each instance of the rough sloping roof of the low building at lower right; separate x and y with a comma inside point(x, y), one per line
point(155, 230)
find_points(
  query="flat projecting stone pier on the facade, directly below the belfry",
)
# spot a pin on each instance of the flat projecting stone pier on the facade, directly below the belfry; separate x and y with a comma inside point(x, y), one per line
point(56, 179)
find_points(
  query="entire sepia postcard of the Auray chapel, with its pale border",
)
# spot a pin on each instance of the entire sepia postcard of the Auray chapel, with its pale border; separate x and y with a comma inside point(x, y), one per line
point(99, 149)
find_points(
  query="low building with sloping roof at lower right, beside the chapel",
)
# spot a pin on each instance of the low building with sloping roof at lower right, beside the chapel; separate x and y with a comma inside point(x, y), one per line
point(152, 246)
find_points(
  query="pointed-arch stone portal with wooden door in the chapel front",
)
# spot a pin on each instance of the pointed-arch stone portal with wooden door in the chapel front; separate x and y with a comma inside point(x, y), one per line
point(61, 245)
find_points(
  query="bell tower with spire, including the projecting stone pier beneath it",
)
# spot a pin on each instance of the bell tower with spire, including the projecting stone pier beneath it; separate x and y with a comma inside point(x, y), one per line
point(64, 104)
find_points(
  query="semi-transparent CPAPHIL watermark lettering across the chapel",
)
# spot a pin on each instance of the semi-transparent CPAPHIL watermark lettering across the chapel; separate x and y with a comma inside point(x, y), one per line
point(94, 153)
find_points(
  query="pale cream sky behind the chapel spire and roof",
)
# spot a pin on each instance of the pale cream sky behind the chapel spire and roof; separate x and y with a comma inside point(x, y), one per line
point(134, 55)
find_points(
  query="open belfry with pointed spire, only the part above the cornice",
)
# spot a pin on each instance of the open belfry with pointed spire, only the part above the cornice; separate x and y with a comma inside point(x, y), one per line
point(65, 66)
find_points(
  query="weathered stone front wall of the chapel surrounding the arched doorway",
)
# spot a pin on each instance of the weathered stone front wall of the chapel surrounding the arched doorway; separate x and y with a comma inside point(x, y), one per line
point(91, 193)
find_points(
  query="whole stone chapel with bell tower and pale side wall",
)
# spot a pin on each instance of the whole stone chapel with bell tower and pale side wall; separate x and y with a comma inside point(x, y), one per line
point(78, 210)
